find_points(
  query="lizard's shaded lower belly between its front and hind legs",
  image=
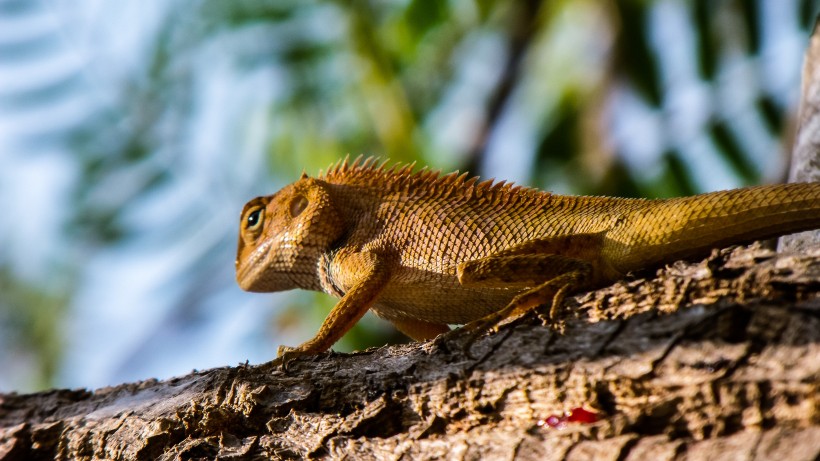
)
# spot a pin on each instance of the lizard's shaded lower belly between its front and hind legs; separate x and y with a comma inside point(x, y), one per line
point(452, 304)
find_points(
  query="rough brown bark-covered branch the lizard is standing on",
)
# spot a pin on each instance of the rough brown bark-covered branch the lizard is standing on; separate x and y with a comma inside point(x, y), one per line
point(714, 360)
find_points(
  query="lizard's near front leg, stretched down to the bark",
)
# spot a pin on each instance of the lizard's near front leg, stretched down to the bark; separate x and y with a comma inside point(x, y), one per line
point(374, 276)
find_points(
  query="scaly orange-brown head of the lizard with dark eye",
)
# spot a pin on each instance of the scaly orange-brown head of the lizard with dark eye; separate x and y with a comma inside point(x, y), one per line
point(282, 236)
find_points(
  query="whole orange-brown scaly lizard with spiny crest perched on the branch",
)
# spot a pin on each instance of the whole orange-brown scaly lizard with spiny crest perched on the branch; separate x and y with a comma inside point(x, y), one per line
point(426, 250)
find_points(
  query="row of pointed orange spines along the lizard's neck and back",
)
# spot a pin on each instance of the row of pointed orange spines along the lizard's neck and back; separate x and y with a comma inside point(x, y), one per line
point(401, 177)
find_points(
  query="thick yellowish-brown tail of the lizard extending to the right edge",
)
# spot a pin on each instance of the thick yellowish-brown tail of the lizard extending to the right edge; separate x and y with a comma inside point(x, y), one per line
point(689, 227)
